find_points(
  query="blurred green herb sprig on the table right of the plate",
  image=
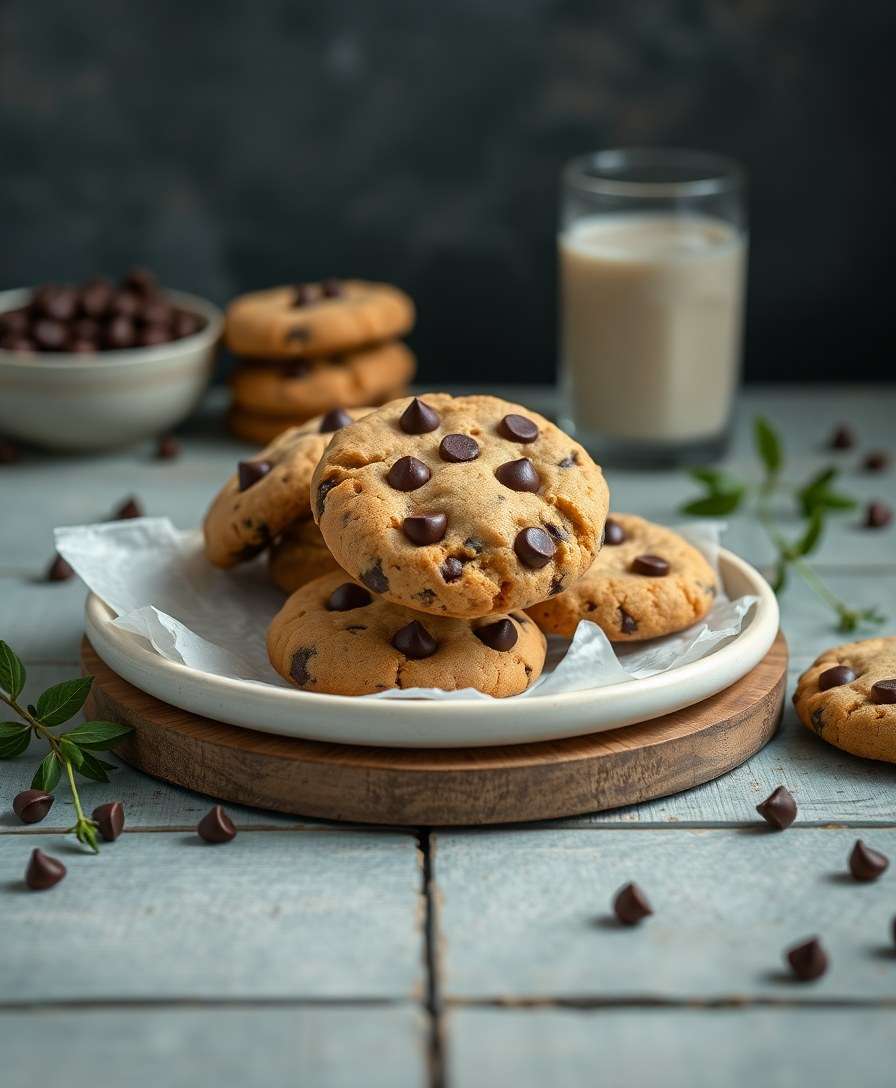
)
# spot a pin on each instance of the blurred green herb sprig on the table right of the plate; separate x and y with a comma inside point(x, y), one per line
point(816, 500)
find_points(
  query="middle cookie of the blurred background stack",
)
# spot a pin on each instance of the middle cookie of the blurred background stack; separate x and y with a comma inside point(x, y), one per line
point(305, 388)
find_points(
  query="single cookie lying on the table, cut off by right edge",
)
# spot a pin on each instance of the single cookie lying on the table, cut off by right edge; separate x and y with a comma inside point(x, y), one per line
point(849, 698)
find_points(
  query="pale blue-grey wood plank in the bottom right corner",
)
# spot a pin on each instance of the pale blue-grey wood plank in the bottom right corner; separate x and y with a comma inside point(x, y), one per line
point(778, 1048)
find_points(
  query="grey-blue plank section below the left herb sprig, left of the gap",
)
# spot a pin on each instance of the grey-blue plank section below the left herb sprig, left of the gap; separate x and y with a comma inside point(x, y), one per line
point(292, 914)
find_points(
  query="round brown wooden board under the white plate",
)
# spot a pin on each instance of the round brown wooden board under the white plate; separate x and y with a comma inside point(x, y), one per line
point(440, 787)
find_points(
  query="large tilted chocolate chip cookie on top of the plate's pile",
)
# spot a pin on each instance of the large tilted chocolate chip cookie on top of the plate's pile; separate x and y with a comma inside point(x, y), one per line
point(461, 506)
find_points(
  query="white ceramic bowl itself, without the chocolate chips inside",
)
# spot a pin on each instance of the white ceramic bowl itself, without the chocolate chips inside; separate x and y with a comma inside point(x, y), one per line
point(113, 399)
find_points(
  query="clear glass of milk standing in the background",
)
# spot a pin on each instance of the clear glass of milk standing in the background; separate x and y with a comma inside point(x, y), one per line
point(653, 253)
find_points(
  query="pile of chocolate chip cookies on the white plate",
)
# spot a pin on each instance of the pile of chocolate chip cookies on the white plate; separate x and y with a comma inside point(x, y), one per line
point(433, 542)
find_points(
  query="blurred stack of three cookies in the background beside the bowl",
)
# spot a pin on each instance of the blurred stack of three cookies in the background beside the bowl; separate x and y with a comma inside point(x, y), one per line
point(308, 350)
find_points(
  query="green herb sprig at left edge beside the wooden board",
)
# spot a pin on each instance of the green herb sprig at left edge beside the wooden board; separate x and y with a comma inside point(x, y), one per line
point(71, 752)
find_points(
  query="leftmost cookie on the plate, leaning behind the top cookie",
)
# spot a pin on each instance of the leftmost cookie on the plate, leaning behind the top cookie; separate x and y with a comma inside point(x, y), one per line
point(270, 491)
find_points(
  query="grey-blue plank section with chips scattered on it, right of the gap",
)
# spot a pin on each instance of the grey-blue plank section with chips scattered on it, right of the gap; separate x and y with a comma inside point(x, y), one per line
point(527, 914)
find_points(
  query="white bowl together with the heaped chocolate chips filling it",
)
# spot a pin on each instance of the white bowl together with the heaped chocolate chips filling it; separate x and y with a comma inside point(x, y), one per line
point(102, 365)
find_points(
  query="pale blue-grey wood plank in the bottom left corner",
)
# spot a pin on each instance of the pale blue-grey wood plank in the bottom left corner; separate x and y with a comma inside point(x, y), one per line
point(229, 1048)
